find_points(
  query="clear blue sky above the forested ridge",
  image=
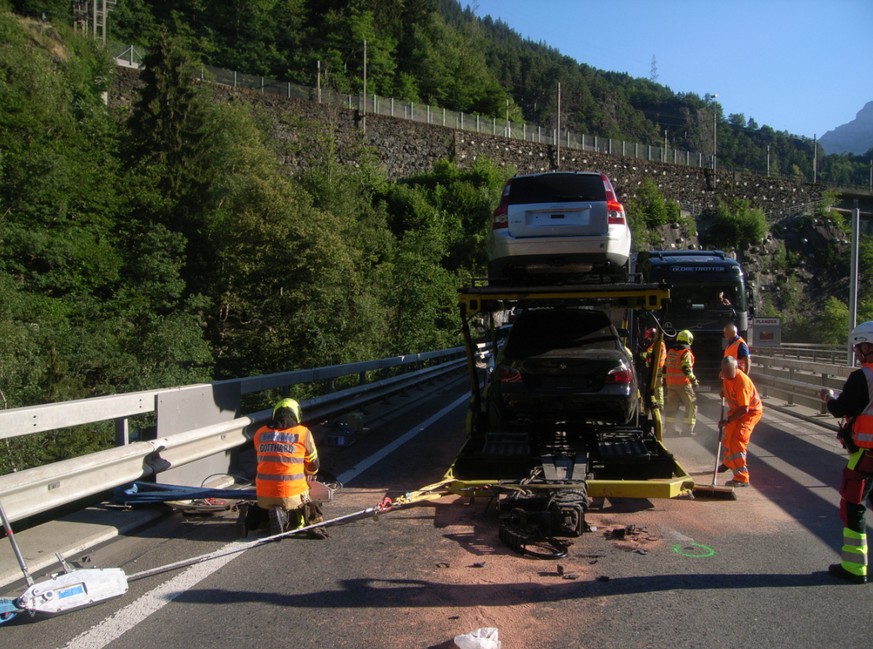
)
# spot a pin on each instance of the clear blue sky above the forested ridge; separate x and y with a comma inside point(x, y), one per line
point(802, 66)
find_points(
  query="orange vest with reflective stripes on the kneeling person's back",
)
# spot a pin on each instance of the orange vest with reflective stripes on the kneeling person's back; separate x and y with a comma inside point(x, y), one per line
point(281, 456)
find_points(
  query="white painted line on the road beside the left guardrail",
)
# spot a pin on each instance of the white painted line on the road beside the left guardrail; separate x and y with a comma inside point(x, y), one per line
point(128, 617)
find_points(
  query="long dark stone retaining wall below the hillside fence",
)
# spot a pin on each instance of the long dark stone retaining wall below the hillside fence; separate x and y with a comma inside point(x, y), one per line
point(407, 148)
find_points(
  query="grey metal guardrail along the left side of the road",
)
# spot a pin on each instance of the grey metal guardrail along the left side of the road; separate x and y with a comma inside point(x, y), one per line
point(36, 490)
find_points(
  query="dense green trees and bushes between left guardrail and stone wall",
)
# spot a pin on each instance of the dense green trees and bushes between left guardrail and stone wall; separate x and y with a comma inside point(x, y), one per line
point(167, 245)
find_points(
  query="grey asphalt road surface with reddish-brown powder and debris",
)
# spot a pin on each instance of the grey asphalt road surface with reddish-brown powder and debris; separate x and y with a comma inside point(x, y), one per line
point(665, 573)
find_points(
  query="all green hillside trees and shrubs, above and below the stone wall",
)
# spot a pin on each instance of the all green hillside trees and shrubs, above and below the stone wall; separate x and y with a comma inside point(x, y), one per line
point(165, 243)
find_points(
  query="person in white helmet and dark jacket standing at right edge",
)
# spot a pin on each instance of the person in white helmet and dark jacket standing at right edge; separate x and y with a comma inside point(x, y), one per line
point(855, 405)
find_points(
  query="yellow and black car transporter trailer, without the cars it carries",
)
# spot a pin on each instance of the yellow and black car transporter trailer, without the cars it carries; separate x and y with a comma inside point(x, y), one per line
point(544, 479)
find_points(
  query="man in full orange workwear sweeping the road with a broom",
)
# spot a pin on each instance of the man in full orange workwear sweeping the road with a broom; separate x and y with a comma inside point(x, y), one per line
point(743, 412)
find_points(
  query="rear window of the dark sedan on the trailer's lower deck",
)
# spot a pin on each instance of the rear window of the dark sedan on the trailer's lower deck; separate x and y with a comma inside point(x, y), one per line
point(538, 332)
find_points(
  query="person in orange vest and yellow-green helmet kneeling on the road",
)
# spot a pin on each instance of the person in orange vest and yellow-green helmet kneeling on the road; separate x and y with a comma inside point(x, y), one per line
point(287, 457)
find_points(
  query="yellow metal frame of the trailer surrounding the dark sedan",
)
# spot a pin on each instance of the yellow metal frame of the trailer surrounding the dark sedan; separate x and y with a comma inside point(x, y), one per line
point(637, 297)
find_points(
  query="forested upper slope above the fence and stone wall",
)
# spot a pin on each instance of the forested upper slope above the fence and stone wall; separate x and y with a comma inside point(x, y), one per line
point(439, 52)
